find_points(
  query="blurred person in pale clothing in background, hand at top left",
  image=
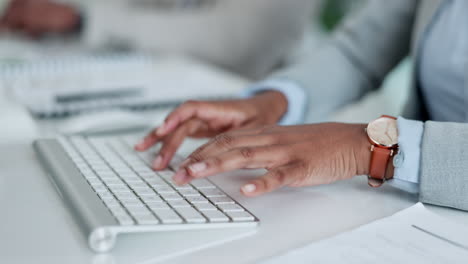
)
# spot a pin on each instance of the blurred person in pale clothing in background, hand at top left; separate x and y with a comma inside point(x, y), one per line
point(247, 37)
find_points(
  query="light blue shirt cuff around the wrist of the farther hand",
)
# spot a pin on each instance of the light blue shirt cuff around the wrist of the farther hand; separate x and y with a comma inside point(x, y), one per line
point(295, 95)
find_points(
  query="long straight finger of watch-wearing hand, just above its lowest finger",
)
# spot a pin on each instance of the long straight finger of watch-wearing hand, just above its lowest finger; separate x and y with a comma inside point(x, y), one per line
point(241, 158)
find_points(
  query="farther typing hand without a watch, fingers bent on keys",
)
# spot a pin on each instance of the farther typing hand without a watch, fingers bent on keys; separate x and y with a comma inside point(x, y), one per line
point(207, 119)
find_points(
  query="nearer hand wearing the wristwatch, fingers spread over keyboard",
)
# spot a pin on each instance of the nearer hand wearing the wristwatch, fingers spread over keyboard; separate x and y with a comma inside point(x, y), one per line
point(294, 156)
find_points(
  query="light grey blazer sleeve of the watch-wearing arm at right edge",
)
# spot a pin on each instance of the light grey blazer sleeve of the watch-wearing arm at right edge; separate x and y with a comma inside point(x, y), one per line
point(444, 165)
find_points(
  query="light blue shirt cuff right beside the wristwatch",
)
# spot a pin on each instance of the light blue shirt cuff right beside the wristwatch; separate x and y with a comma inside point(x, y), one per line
point(407, 160)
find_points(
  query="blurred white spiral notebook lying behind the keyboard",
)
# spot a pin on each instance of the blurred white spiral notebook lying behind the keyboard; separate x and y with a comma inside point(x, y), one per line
point(71, 85)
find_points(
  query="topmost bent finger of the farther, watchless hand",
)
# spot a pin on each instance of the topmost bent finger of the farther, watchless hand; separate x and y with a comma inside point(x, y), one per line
point(185, 112)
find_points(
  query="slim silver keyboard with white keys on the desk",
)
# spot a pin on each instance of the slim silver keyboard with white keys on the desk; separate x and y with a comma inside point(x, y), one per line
point(111, 189)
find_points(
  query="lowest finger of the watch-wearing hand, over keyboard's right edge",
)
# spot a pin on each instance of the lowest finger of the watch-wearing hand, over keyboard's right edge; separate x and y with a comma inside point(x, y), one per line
point(274, 180)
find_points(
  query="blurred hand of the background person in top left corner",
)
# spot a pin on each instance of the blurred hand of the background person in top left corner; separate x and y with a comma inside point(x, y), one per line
point(37, 17)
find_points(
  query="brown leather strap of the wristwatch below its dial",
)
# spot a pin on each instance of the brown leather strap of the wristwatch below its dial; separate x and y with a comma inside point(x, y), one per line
point(378, 166)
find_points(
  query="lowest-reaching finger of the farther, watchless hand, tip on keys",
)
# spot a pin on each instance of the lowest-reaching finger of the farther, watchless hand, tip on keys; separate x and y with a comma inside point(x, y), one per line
point(173, 141)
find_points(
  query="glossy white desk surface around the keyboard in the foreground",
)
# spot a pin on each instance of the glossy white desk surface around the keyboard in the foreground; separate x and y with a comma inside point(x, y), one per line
point(36, 227)
